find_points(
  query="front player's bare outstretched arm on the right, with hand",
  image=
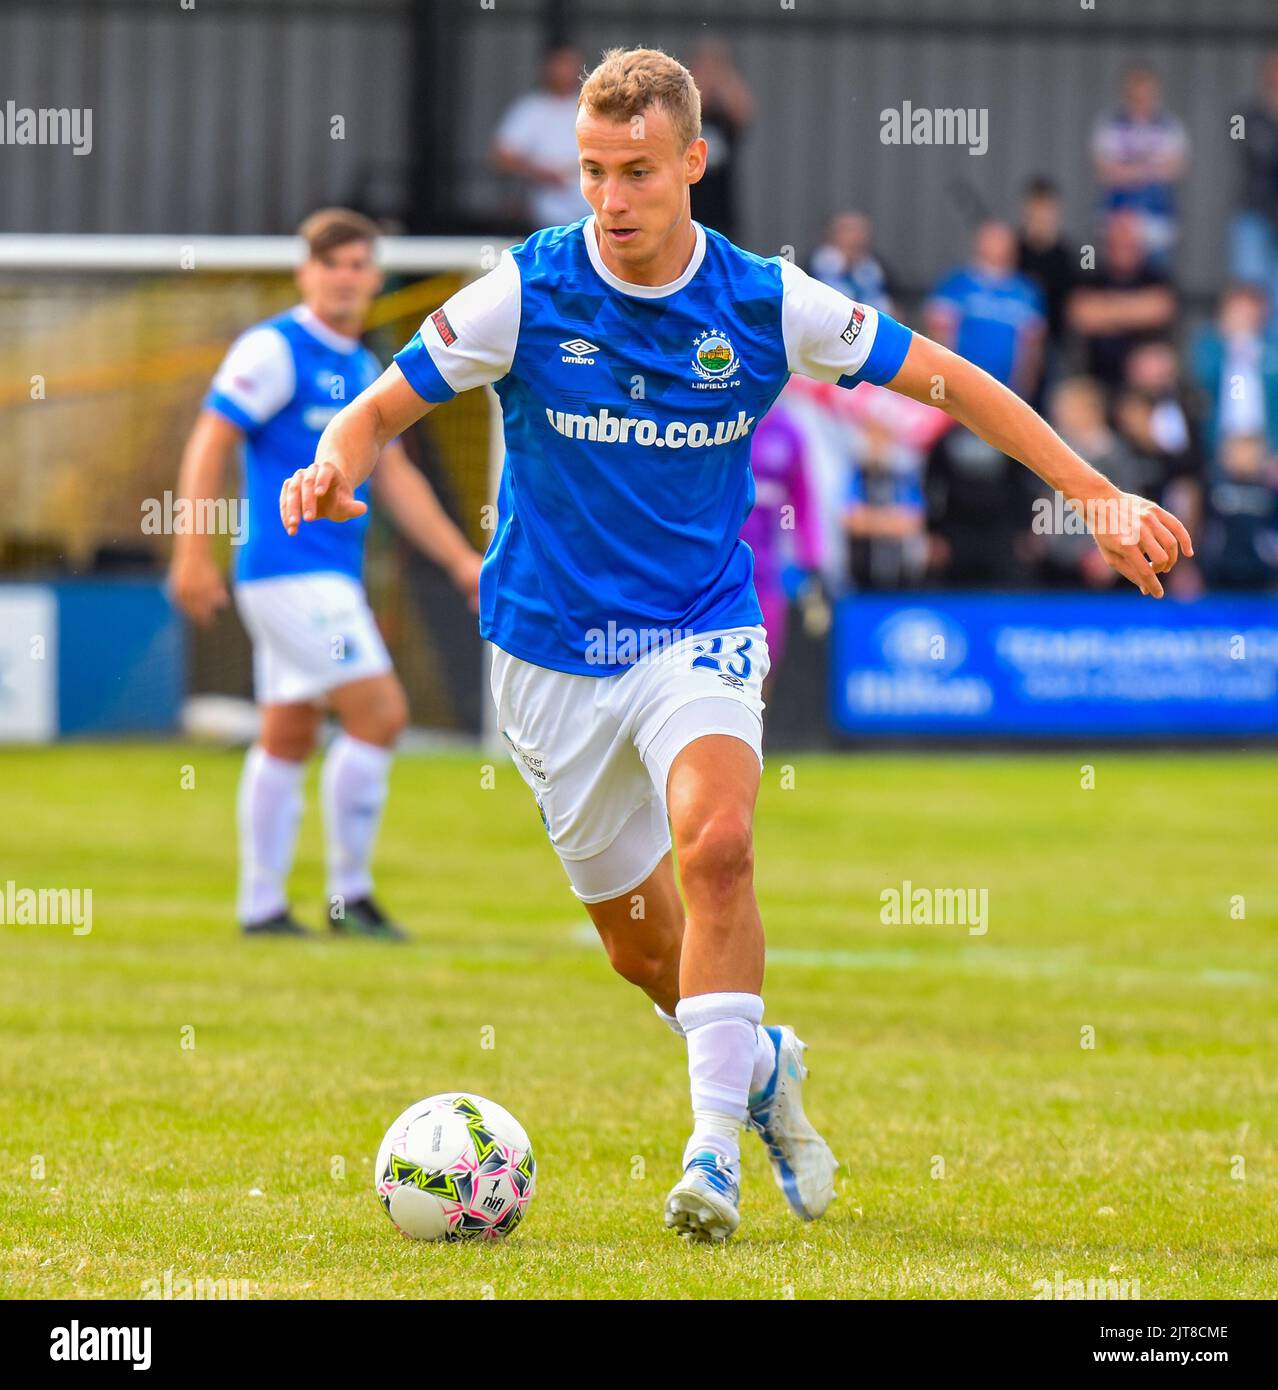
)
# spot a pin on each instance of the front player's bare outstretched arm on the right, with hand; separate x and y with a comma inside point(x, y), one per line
point(1144, 541)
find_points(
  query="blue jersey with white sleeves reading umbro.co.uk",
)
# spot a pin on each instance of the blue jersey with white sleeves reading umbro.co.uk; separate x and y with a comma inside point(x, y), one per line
point(628, 414)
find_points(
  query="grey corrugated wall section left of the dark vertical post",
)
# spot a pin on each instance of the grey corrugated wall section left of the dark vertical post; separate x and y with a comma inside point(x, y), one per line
point(208, 120)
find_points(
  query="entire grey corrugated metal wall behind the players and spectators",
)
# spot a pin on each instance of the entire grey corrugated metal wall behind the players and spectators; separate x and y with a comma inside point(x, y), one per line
point(219, 119)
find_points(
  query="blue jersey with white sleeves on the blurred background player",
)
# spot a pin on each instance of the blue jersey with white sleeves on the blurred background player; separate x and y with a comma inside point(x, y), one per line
point(282, 383)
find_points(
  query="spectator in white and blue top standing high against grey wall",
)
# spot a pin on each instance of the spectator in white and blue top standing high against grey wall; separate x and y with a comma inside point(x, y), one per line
point(1140, 152)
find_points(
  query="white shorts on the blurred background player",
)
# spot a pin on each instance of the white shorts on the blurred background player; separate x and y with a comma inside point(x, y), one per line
point(312, 633)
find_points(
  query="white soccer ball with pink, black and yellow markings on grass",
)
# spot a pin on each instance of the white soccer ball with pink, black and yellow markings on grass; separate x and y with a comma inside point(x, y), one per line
point(455, 1167)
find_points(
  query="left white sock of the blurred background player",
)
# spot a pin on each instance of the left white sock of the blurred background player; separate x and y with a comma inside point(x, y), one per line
point(269, 810)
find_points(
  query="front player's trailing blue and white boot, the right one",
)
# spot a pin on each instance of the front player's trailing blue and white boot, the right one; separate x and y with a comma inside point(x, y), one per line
point(803, 1164)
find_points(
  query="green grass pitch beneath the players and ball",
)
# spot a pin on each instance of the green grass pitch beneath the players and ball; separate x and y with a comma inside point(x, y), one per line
point(985, 1147)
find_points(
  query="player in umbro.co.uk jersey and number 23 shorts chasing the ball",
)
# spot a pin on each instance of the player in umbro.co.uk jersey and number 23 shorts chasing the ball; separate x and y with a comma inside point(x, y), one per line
point(635, 352)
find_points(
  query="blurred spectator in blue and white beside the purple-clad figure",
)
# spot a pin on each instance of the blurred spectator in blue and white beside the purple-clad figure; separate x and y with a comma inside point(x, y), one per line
point(885, 516)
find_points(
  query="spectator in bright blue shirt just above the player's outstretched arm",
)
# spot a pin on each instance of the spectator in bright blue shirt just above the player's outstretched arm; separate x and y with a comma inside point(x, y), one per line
point(989, 313)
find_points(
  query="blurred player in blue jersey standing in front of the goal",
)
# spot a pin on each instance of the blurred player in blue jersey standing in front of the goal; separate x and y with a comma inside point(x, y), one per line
point(315, 637)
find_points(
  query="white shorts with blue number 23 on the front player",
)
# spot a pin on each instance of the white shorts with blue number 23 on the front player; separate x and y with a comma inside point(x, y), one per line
point(597, 750)
